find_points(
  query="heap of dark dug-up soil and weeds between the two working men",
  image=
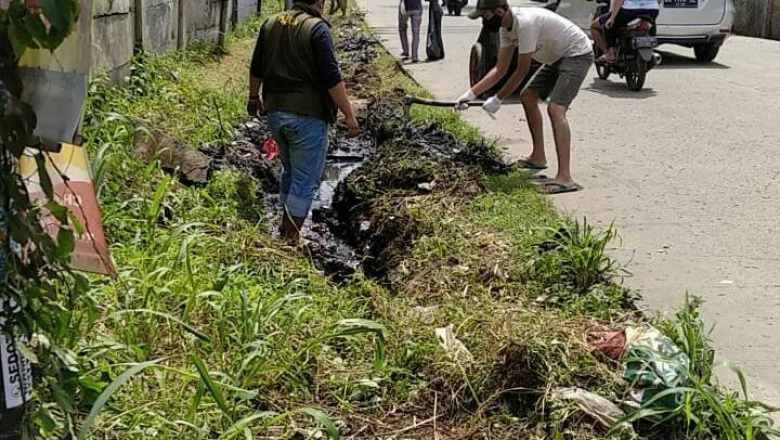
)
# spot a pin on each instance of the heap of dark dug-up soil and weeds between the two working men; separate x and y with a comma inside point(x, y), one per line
point(374, 208)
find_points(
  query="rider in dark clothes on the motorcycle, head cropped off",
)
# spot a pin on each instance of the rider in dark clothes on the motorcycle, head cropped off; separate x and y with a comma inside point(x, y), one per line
point(621, 12)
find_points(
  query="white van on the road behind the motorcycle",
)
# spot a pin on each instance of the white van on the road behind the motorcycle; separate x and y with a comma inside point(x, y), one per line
point(700, 24)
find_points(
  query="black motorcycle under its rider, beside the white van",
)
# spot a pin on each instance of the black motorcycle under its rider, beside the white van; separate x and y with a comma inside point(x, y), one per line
point(634, 51)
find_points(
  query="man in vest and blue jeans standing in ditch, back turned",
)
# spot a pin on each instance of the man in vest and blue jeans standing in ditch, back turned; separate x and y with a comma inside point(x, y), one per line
point(295, 62)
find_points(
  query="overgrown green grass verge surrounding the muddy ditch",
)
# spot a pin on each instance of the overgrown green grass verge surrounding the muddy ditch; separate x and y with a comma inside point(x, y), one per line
point(215, 330)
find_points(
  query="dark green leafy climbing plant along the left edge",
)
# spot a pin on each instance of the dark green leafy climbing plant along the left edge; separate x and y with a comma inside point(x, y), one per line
point(40, 294)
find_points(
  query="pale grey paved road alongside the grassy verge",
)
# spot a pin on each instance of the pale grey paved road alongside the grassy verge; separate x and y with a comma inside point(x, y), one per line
point(687, 169)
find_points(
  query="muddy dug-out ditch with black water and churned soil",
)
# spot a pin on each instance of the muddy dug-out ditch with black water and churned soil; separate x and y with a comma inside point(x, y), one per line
point(361, 212)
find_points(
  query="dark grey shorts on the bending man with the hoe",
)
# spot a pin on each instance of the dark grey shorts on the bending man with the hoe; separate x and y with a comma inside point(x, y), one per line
point(561, 82)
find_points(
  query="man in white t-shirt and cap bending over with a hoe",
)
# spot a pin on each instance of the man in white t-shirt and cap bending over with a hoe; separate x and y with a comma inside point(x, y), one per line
point(566, 53)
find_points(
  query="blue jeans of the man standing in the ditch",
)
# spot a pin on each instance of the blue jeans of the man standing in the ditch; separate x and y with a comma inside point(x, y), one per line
point(303, 145)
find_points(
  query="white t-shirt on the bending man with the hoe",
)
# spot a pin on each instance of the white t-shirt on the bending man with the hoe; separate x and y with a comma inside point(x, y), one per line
point(546, 34)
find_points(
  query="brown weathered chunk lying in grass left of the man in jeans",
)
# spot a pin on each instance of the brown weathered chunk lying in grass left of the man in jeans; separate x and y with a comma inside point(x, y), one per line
point(194, 167)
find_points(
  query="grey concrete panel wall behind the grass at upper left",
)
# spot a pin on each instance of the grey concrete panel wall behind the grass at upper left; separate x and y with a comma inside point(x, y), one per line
point(118, 25)
